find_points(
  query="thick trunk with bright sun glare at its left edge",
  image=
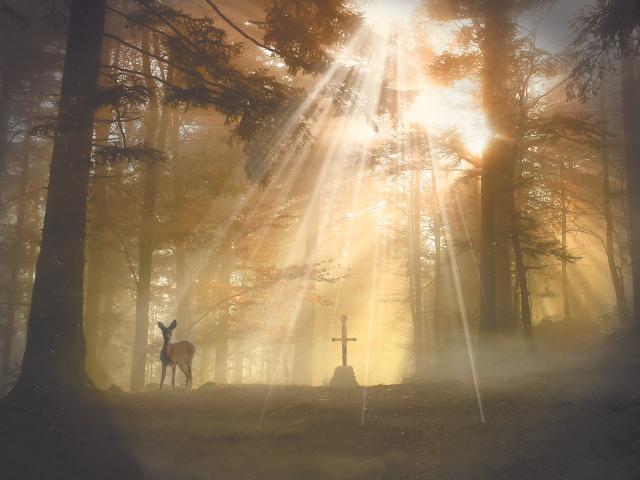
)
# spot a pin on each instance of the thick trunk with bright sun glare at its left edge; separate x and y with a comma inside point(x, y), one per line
point(495, 261)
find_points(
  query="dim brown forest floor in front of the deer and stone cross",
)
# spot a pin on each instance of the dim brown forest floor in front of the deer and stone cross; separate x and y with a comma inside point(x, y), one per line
point(561, 416)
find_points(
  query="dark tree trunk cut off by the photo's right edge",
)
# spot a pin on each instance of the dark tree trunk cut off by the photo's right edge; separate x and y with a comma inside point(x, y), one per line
point(631, 117)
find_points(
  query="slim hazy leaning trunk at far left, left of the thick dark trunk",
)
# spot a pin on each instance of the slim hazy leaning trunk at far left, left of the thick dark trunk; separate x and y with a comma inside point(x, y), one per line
point(16, 258)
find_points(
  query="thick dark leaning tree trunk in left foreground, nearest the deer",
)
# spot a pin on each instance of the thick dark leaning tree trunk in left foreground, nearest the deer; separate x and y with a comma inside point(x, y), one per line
point(55, 349)
